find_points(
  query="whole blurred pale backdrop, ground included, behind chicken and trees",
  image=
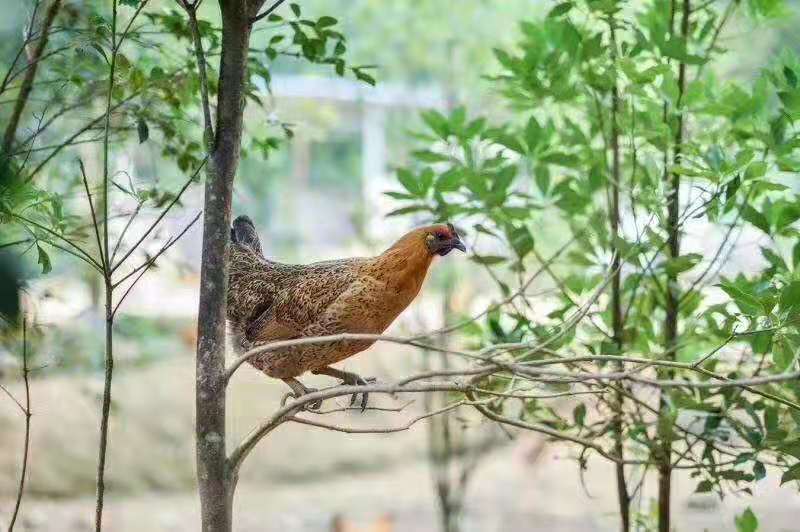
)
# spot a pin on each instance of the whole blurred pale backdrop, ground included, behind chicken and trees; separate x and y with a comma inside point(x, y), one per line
point(319, 196)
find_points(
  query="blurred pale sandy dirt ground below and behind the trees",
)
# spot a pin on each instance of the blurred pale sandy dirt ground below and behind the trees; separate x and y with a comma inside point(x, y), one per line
point(301, 478)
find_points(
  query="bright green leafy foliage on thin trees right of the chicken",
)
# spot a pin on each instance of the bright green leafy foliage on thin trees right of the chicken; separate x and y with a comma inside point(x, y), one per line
point(612, 102)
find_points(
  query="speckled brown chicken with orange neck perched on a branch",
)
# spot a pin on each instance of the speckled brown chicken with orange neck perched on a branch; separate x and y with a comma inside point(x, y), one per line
point(270, 301)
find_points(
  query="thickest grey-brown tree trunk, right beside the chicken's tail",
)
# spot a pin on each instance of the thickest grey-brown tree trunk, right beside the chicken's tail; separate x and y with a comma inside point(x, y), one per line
point(215, 487)
